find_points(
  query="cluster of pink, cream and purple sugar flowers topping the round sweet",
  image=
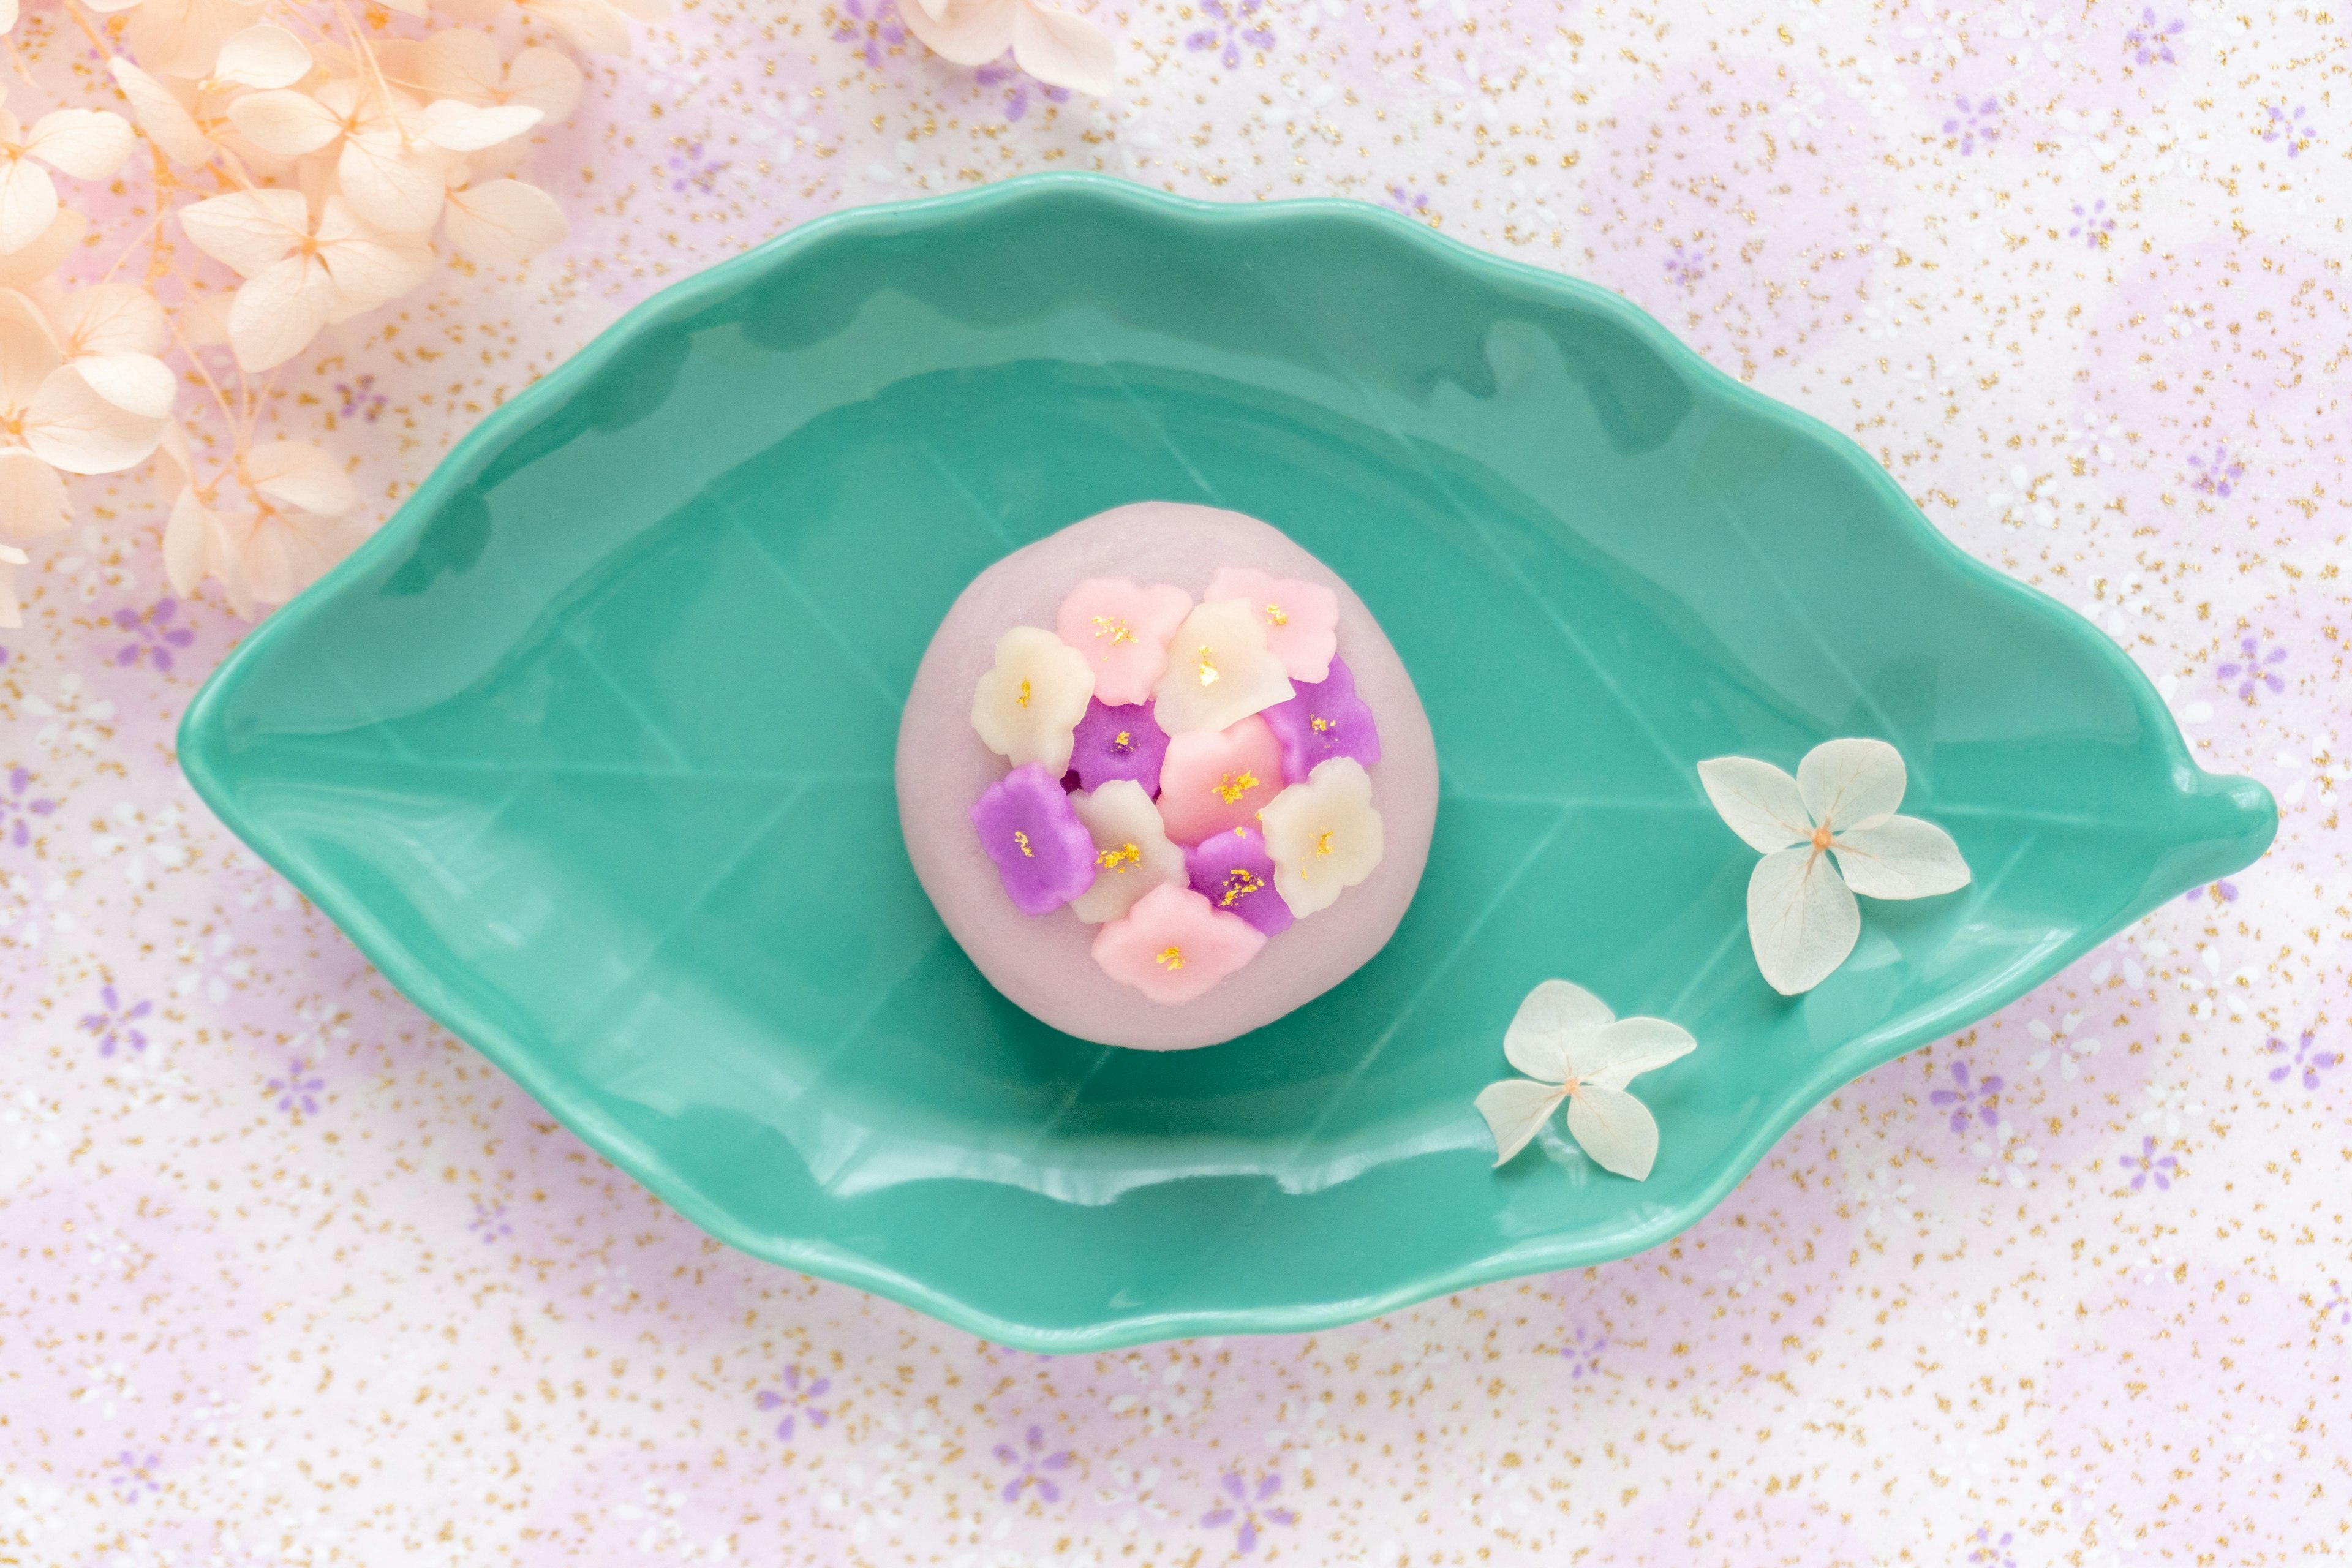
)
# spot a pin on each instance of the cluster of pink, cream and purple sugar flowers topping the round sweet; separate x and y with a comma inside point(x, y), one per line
point(1191, 777)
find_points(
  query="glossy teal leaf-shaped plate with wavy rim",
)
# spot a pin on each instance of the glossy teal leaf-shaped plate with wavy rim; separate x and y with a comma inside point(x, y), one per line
point(589, 751)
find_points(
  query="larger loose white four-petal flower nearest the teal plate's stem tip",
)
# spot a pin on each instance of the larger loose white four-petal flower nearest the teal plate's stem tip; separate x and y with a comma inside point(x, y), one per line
point(1826, 833)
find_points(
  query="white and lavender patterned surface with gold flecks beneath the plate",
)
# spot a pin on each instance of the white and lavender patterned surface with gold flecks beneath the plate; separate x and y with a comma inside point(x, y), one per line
point(295, 1278)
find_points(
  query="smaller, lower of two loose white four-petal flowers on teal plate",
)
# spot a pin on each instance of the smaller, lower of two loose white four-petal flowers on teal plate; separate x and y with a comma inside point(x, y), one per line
point(1579, 1052)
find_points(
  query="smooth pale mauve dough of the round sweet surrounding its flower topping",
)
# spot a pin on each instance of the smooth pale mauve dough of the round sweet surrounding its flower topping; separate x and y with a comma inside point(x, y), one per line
point(1045, 963)
